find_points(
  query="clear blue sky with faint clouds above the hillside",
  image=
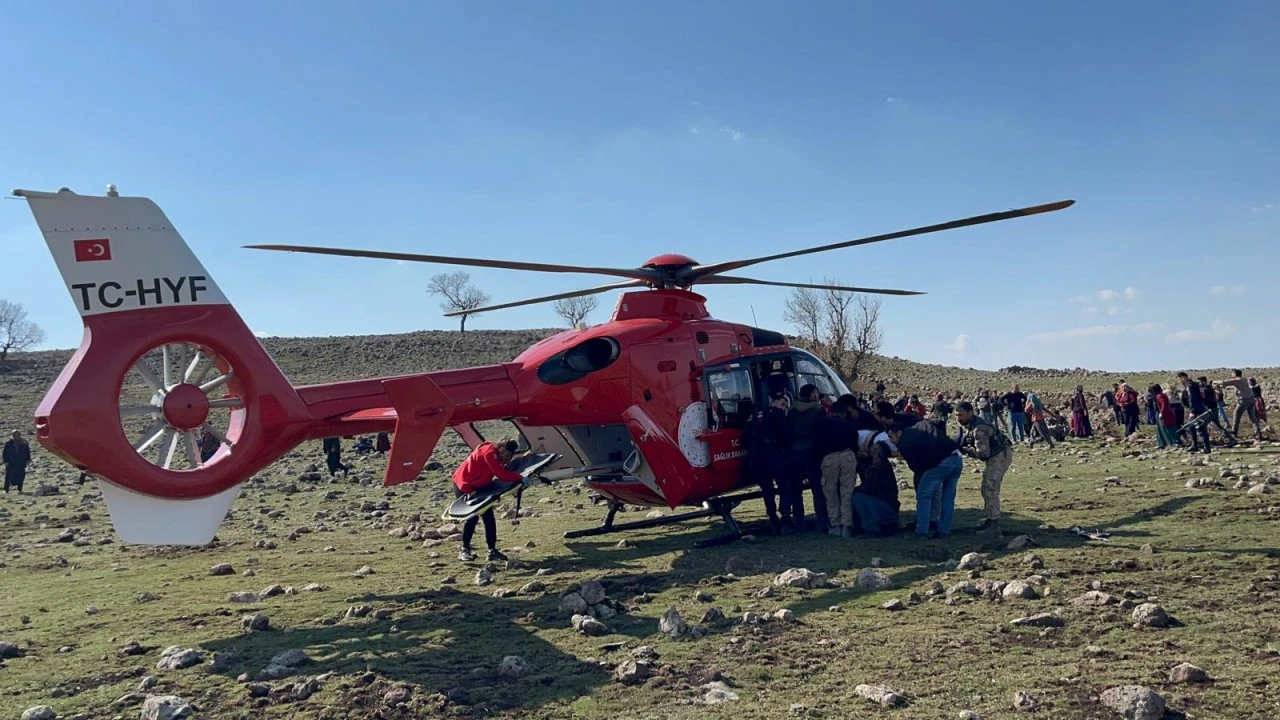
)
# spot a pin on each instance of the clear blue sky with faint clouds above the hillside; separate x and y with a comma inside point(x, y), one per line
point(609, 133)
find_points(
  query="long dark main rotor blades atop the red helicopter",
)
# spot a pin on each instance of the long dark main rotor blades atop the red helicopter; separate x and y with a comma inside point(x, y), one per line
point(675, 271)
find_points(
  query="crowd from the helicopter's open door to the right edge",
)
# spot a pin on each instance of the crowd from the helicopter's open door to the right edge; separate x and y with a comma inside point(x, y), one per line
point(840, 450)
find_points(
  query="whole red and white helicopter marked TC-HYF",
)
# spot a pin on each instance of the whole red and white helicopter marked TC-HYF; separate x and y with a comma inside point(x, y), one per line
point(648, 409)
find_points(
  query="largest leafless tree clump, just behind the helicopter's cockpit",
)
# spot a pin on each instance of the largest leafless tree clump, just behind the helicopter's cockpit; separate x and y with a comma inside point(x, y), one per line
point(842, 329)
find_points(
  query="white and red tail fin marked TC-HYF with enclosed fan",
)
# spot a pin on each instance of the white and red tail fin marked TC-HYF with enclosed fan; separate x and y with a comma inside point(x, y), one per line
point(171, 400)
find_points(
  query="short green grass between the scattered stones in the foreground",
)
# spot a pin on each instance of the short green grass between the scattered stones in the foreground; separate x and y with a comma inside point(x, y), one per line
point(1215, 569)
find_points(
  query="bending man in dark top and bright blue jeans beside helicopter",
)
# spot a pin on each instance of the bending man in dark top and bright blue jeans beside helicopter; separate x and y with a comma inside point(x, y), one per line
point(938, 463)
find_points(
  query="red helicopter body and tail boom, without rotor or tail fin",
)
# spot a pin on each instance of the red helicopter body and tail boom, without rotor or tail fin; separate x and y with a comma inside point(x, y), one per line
point(648, 408)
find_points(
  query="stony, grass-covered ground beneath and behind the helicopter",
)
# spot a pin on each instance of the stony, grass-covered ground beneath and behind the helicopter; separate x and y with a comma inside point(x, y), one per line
point(341, 599)
